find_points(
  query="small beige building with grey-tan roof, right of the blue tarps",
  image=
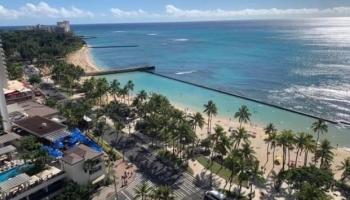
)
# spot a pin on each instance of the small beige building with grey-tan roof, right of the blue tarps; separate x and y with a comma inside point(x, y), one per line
point(83, 164)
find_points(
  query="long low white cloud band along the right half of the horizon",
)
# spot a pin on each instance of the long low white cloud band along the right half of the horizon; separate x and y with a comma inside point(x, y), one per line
point(273, 12)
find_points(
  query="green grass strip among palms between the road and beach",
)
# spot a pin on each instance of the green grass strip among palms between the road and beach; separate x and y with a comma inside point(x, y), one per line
point(217, 169)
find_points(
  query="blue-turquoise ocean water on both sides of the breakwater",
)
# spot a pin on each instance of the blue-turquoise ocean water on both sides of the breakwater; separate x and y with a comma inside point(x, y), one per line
point(303, 65)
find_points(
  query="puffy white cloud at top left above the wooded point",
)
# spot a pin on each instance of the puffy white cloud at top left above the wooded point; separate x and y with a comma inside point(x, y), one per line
point(43, 9)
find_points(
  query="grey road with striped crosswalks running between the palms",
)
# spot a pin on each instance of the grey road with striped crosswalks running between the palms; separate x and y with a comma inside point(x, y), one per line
point(154, 171)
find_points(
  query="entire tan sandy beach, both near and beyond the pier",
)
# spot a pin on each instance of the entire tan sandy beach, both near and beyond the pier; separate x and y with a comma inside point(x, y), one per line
point(84, 59)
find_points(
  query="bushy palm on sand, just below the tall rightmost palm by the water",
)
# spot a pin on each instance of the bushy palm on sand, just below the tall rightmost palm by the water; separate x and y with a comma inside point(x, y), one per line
point(324, 153)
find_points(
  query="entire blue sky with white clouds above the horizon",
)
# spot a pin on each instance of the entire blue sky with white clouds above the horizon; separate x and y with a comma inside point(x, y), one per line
point(20, 12)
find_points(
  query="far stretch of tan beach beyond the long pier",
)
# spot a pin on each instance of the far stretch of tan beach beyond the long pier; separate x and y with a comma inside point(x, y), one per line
point(83, 58)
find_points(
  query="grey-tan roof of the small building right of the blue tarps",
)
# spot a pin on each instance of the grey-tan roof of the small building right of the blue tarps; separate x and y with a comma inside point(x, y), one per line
point(79, 153)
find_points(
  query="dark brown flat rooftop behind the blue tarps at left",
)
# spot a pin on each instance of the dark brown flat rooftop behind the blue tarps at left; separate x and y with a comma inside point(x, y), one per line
point(40, 126)
